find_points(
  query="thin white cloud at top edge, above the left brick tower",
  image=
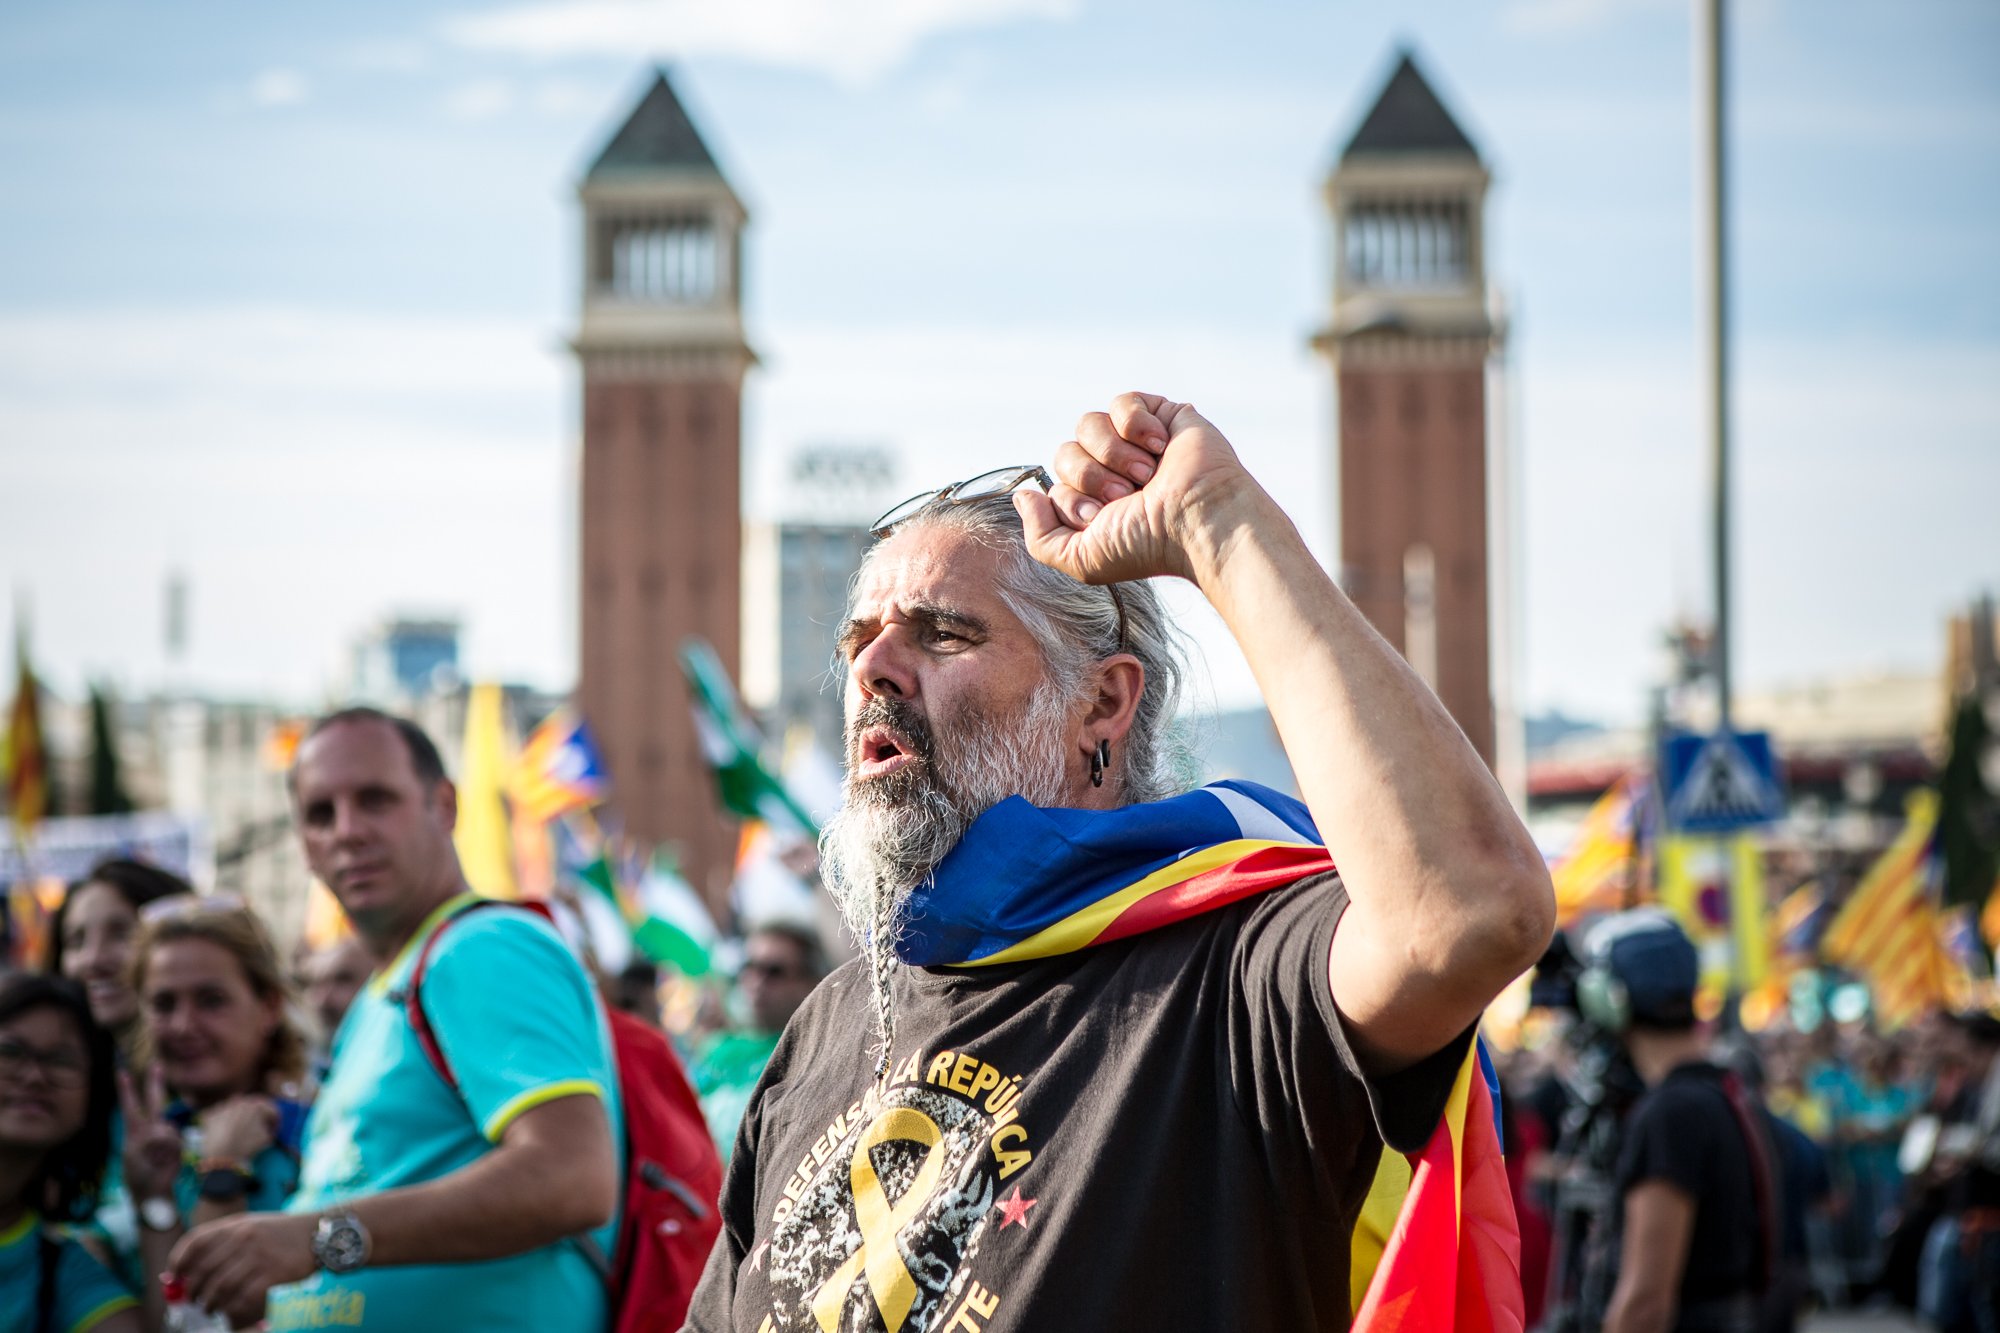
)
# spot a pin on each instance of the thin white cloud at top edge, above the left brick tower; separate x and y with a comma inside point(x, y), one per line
point(843, 39)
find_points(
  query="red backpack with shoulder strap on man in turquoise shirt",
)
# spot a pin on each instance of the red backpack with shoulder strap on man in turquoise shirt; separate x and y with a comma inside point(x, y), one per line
point(669, 1216)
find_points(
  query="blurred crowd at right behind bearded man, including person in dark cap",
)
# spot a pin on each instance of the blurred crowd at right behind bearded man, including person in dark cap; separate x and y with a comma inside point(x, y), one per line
point(1881, 1152)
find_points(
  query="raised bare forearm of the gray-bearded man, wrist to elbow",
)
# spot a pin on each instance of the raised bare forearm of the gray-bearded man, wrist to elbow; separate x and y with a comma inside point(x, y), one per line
point(1431, 852)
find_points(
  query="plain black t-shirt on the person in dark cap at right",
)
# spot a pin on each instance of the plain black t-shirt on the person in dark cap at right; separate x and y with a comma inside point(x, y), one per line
point(1685, 1132)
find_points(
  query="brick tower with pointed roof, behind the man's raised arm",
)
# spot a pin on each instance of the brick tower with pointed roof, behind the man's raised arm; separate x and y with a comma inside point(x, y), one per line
point(1411, 339)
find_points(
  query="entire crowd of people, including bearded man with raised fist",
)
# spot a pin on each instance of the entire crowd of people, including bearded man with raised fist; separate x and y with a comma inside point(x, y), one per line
point(1115, 1054)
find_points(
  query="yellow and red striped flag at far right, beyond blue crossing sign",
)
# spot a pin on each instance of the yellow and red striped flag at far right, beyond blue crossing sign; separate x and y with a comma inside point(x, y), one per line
point(1891, 930)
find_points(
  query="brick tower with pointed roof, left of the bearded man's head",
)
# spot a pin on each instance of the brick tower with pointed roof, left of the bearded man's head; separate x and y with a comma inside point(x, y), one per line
point(663, 361)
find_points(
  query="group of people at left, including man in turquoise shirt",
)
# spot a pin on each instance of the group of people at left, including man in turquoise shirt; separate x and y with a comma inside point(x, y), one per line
point(161, 1076)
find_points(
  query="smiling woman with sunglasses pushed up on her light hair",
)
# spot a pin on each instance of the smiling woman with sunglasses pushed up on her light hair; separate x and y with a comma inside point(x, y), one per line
point(215, 1122)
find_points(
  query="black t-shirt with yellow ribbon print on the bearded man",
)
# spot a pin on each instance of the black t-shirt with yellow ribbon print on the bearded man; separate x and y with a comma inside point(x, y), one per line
point(1161, 1134)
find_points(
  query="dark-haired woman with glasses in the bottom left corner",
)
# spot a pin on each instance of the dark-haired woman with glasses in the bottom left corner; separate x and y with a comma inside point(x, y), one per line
point(55, 1138)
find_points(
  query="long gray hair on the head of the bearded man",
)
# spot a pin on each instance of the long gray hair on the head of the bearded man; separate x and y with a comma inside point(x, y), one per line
point(1077, 627)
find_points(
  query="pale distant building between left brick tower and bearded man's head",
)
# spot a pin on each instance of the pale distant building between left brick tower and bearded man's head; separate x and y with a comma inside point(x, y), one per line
point(797, 575)
